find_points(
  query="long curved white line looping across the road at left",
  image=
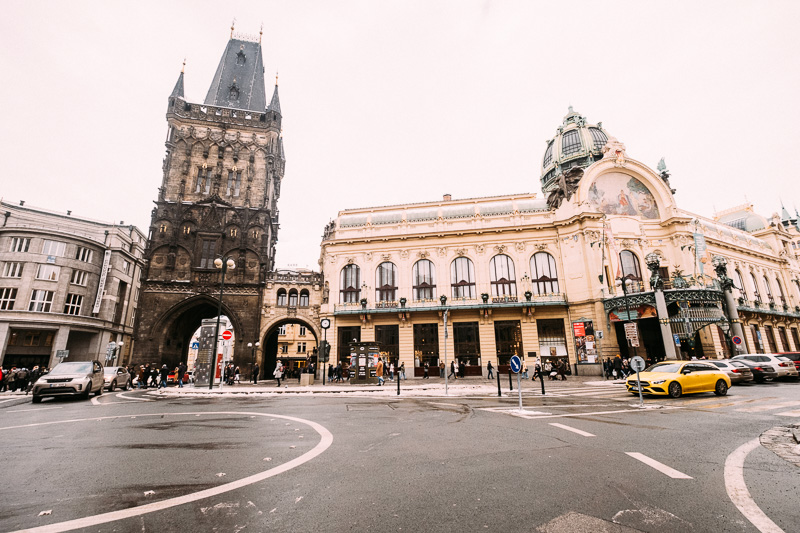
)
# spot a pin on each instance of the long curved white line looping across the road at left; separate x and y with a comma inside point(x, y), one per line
point(326, 439)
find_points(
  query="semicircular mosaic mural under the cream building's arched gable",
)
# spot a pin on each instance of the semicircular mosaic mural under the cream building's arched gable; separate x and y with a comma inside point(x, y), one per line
point(619, 194)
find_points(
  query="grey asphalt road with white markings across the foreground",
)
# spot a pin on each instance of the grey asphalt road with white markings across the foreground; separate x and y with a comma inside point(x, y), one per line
point(579, 459)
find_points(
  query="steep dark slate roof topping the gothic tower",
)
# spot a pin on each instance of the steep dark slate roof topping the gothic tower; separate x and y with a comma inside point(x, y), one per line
point(239, 80)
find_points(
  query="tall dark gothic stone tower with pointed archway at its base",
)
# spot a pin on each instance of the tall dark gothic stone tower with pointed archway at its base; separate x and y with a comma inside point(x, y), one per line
point(218, 198)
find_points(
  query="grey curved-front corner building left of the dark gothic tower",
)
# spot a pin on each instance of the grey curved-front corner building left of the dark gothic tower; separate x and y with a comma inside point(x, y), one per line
point(69, 287)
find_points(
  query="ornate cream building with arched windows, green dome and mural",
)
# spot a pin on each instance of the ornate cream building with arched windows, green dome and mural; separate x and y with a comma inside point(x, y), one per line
point(559, 277)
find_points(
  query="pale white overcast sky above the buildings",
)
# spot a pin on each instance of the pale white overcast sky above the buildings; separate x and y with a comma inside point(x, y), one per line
point(388, 102)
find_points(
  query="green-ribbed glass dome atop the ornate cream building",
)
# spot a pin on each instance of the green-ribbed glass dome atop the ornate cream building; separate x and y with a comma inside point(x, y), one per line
point(577, 144)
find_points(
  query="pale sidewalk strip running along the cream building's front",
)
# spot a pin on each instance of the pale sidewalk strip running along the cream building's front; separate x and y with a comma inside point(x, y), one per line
point(471, 386)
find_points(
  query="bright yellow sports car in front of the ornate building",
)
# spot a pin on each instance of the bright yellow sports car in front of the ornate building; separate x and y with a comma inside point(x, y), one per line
point(678, 377)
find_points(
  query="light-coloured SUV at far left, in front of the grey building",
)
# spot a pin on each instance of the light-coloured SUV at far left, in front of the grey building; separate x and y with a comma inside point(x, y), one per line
point(73, 378)
